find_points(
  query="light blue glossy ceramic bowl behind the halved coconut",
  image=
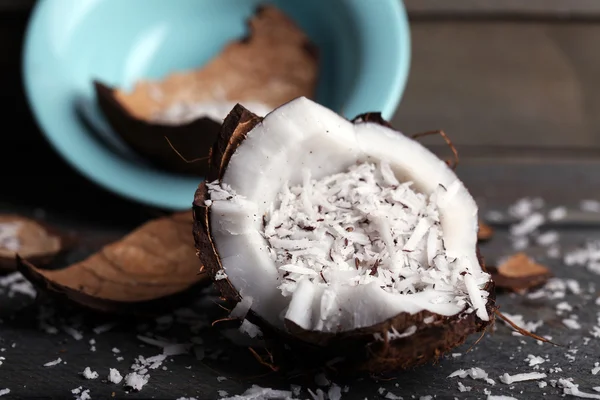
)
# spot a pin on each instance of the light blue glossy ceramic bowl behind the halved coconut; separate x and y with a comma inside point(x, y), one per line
point(365, 57)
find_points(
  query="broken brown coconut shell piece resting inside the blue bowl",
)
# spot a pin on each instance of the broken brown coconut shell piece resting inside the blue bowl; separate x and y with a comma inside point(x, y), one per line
point(273, 65)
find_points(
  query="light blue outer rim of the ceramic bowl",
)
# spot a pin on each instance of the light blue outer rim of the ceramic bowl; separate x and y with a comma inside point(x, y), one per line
point(160, 196)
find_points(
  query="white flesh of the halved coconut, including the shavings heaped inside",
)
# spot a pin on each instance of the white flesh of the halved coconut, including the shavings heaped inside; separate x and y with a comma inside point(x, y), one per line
point(336, 226)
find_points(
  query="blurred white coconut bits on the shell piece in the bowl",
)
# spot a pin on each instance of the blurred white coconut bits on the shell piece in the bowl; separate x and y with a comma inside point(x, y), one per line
point(184, 112)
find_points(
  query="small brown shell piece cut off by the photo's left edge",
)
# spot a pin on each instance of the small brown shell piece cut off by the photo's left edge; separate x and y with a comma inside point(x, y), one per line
point(30, 239)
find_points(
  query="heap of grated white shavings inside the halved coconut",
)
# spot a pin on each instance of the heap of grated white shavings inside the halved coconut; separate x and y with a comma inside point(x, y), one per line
point(361, 227)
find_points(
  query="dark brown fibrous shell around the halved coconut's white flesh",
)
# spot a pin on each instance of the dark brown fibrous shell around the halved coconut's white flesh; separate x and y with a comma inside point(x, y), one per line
point(361, 350)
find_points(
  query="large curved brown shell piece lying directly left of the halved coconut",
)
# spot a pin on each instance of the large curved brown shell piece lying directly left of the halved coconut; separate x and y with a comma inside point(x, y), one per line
point(154, 261)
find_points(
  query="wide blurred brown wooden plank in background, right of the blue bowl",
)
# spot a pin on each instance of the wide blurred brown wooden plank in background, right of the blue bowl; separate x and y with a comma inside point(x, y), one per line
point(509, 84)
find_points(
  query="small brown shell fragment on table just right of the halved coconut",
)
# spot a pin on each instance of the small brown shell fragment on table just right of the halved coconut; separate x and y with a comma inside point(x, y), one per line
point(519, 273)
